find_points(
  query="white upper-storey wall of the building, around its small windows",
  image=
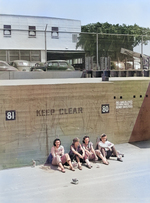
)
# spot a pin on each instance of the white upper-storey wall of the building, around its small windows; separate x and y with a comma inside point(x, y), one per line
point(21, 40)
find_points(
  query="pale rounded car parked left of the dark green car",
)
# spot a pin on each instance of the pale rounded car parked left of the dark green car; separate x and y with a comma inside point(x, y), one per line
point(21, 65)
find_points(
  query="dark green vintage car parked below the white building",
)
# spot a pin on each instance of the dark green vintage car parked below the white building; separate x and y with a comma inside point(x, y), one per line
point(53, 65)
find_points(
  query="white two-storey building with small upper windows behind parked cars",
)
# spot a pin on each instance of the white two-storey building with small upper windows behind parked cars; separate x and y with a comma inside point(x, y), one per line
point(38, 38)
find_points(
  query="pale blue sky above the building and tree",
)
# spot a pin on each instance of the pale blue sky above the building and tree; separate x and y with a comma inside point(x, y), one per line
point(126, 12)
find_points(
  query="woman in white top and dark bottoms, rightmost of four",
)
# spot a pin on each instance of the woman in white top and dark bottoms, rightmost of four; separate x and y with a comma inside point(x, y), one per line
point(107, 148)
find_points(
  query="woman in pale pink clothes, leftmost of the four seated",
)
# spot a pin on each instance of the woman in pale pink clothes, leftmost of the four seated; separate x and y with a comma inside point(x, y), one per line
point(58, 157)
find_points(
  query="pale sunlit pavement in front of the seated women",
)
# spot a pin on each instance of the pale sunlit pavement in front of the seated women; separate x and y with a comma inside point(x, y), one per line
point(120, 182)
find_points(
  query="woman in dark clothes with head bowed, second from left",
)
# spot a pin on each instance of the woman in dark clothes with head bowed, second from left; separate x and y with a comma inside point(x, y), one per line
point(77, 153)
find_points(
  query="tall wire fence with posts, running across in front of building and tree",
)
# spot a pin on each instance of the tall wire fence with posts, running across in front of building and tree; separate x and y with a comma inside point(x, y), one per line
point(97, 51)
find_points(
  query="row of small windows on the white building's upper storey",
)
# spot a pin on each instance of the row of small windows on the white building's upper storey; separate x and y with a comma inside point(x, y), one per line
point(32, 32)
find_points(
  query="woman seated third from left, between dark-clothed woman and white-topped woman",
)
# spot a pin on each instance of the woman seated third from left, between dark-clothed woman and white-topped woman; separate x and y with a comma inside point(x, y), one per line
point(90, 153)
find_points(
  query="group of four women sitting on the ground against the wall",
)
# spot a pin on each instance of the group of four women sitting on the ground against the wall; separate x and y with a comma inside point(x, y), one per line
point(82, 153)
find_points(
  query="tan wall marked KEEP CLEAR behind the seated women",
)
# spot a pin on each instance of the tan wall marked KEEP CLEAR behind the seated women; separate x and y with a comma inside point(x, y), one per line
point(32, 116)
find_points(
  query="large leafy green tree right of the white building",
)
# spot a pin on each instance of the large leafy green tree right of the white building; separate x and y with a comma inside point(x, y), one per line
point(111, 38)
